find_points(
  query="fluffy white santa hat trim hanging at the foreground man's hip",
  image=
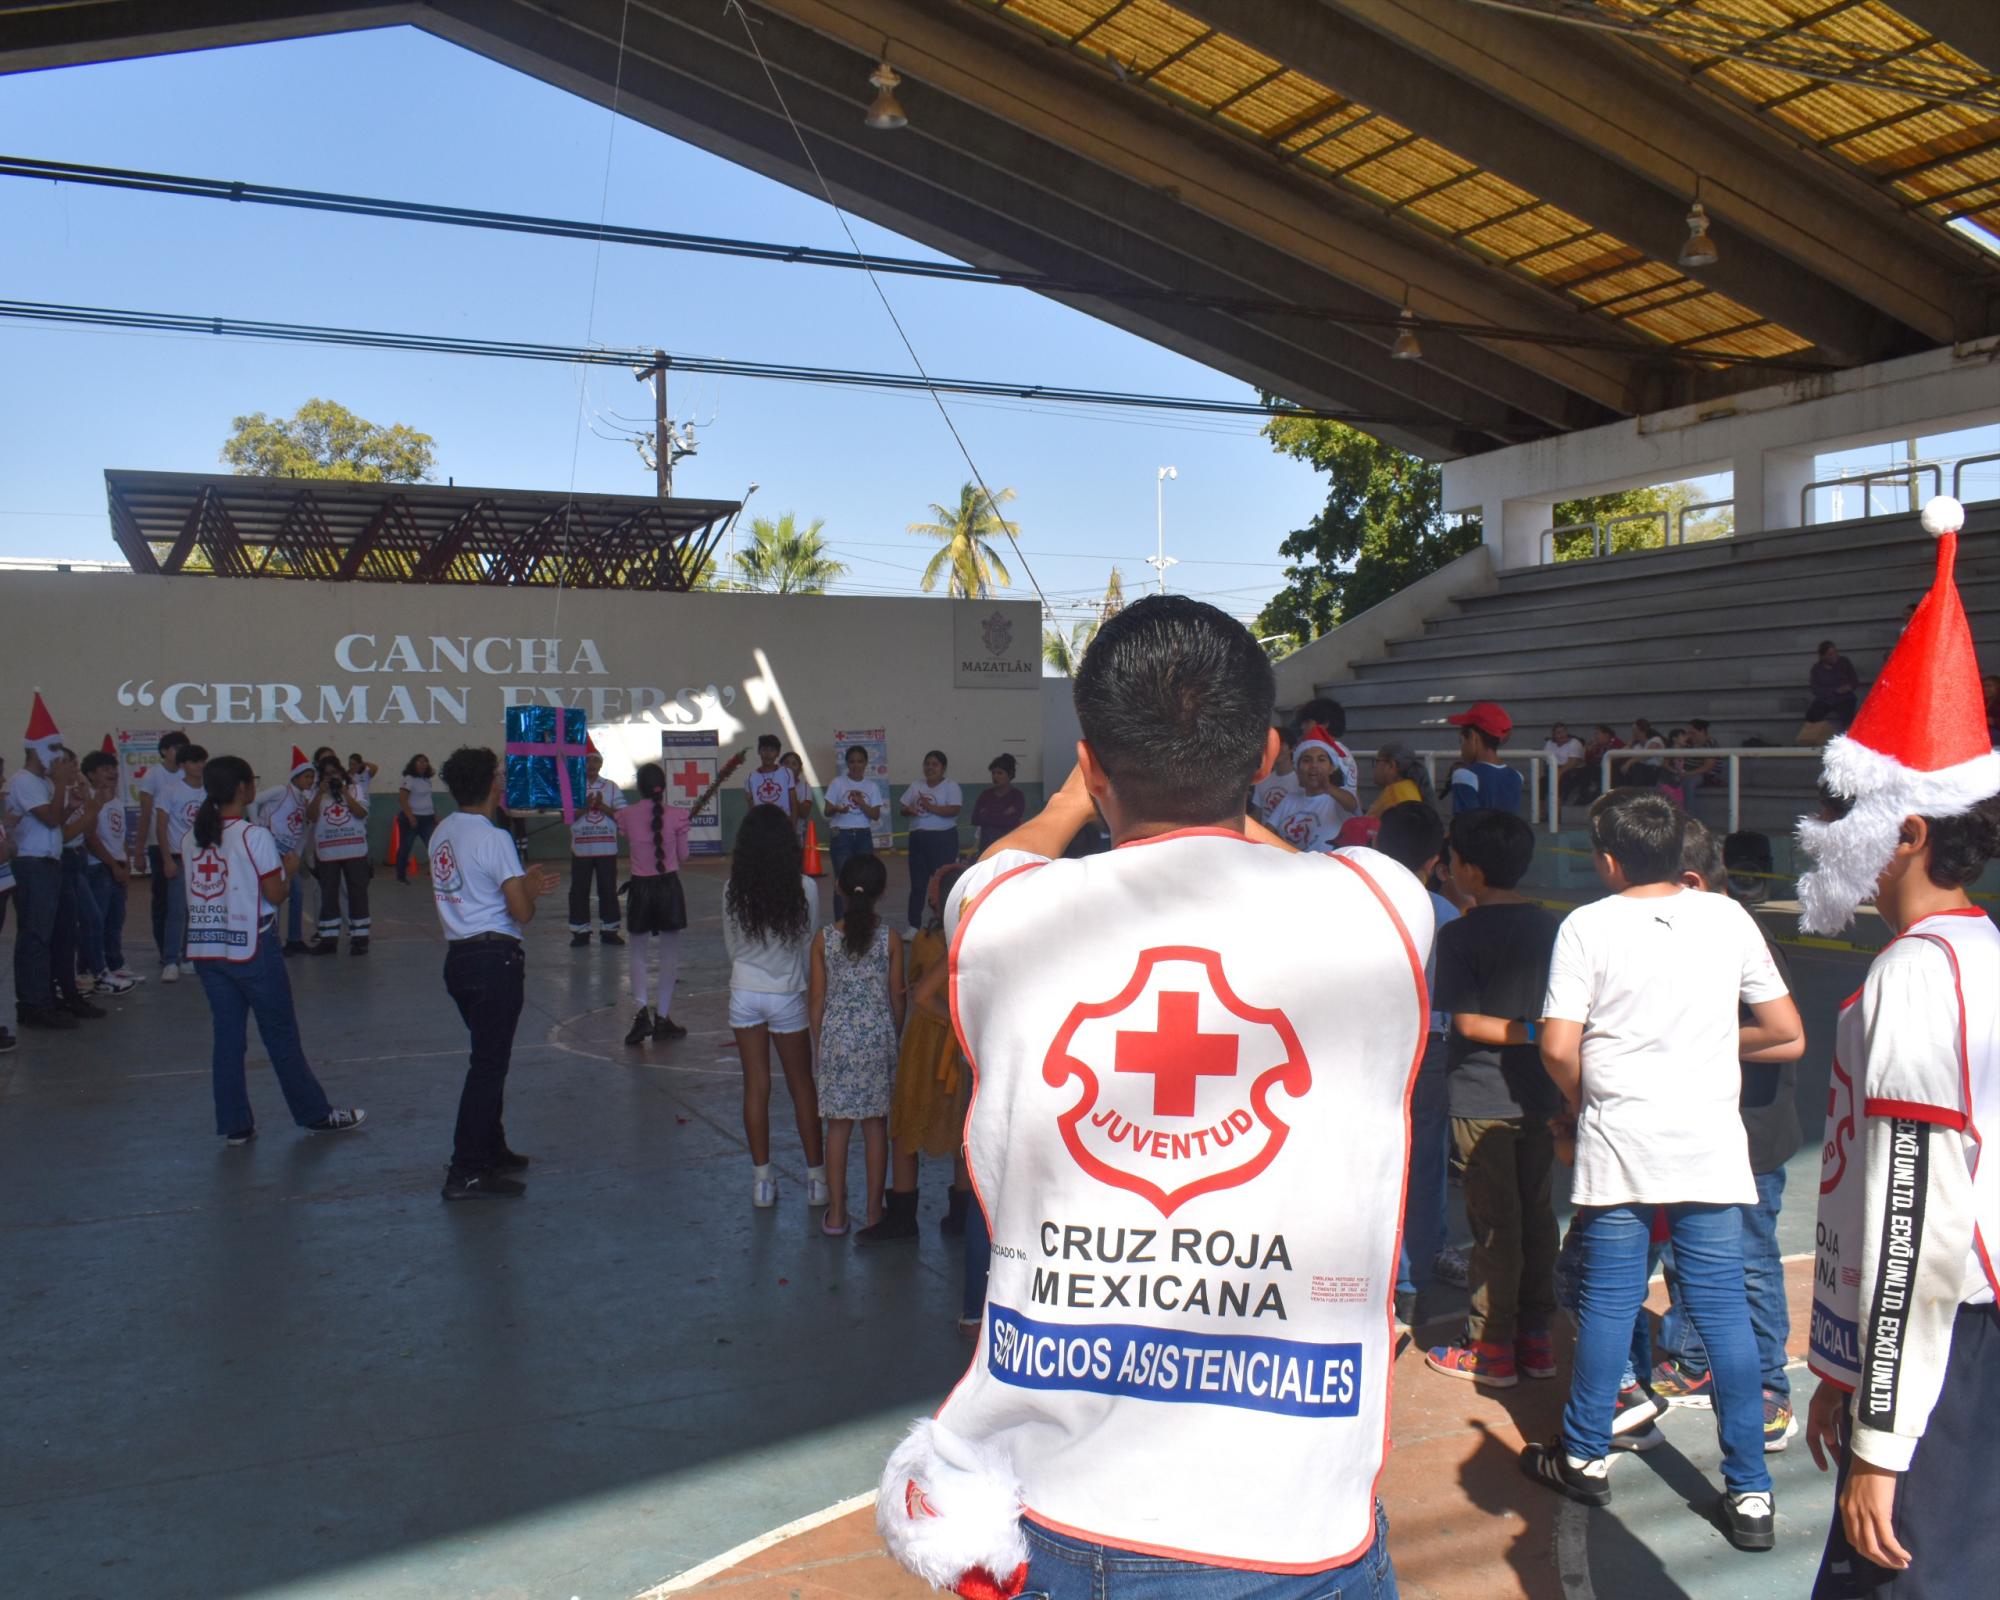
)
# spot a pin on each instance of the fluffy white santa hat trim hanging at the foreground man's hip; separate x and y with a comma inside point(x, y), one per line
point(949, 1511)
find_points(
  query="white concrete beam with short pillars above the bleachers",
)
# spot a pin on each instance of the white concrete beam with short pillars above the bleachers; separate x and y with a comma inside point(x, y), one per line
point(1767, 439)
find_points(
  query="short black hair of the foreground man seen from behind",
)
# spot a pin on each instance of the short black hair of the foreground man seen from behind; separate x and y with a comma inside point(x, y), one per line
point(1175, 703)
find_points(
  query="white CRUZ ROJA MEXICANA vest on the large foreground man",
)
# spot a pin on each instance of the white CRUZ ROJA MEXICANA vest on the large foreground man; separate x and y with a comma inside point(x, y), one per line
point(1191, 1137)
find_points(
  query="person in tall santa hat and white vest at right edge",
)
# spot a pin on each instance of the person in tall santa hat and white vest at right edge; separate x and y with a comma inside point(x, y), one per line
point(1905, 1331)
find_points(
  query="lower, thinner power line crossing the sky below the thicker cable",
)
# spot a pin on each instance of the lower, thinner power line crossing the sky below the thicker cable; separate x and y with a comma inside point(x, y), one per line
point(451, 345)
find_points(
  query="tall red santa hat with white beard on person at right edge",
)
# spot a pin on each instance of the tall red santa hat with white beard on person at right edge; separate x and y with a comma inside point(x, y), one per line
point(1917, 749)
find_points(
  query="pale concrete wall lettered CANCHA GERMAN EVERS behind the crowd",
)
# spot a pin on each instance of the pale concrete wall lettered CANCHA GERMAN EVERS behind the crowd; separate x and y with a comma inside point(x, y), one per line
point(253, 667)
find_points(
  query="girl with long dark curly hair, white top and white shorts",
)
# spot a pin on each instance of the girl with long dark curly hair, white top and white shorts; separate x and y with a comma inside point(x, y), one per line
point(769, 917)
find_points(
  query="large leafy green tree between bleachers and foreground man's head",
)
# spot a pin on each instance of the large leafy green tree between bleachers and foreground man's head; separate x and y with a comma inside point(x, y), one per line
point(1381, 531)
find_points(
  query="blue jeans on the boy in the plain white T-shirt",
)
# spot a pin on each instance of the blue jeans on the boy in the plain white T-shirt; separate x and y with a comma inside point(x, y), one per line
point(1611, 1291)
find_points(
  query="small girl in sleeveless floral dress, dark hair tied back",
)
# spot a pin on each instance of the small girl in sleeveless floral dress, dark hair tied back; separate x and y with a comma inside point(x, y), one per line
point(857, 1005)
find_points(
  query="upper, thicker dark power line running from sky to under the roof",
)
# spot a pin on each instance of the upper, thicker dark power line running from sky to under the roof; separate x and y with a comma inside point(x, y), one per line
point(857, 261)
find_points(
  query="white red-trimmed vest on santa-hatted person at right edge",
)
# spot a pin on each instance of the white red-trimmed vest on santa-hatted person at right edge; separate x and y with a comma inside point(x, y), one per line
point(1973, 945)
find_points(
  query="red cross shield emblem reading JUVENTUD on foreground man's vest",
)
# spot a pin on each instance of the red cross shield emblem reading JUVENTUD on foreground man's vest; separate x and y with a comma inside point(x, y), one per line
point(1177, 1079)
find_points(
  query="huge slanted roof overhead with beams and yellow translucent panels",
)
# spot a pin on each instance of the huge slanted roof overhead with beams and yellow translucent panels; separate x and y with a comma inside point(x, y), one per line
point(1515, 173)
